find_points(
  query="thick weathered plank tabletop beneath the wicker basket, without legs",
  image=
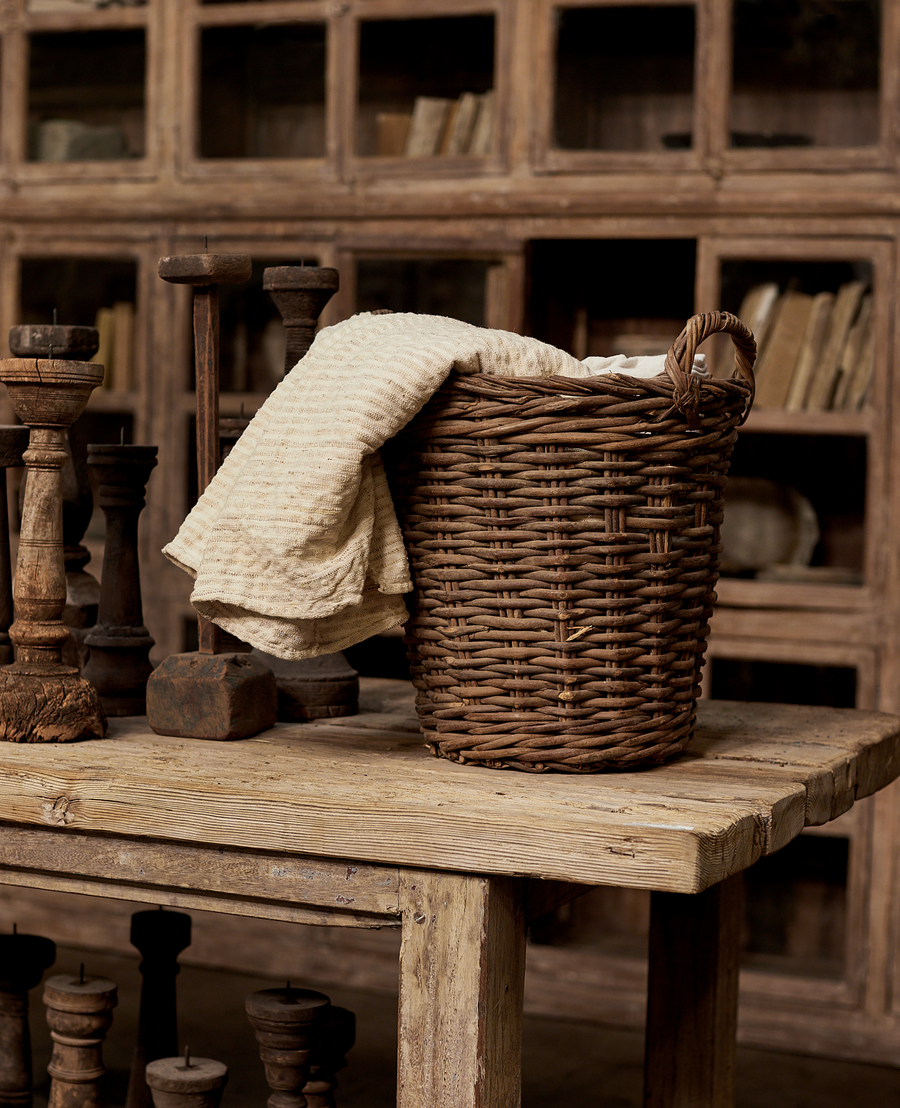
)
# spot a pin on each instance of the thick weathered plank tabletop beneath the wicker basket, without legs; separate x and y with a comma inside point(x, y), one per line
point(367, 791)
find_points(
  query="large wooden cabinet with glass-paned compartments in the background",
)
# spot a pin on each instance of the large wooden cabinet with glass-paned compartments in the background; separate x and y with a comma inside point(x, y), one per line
point(589, 171)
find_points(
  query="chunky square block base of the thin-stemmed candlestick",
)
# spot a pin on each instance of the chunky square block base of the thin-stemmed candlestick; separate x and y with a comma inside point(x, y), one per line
point(212, 696)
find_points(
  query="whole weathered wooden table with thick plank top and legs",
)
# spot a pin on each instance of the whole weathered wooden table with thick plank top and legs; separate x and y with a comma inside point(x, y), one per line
point(352, 822)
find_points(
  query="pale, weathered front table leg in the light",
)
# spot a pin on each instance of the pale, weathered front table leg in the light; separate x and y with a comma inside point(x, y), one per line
point(463, 963)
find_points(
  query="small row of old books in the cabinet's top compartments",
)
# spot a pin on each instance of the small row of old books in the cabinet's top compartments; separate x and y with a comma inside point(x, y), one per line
point(439, 128)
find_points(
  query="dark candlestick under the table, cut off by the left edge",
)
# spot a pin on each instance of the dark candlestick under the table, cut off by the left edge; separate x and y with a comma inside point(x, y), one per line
point(23, 962)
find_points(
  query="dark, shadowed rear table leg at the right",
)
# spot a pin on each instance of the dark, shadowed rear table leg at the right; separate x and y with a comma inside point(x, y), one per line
point(692, 1003)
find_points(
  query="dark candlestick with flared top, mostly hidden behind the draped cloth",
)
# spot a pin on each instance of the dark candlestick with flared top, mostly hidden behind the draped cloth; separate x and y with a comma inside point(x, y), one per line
point(326, 685)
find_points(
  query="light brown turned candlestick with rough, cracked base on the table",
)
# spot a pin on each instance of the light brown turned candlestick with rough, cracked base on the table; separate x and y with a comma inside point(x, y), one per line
point(43, 701)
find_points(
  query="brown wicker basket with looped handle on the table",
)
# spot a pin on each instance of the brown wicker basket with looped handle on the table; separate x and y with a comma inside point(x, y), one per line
point(564, 537)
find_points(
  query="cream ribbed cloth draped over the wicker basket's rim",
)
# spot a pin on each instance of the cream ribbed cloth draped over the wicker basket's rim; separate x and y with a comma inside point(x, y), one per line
point(294, 546)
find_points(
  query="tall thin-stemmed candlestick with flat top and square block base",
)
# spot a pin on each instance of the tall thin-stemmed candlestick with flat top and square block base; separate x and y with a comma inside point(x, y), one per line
point(210, 694)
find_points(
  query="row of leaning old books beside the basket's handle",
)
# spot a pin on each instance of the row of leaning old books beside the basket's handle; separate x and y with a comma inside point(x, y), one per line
point(816, 352)
